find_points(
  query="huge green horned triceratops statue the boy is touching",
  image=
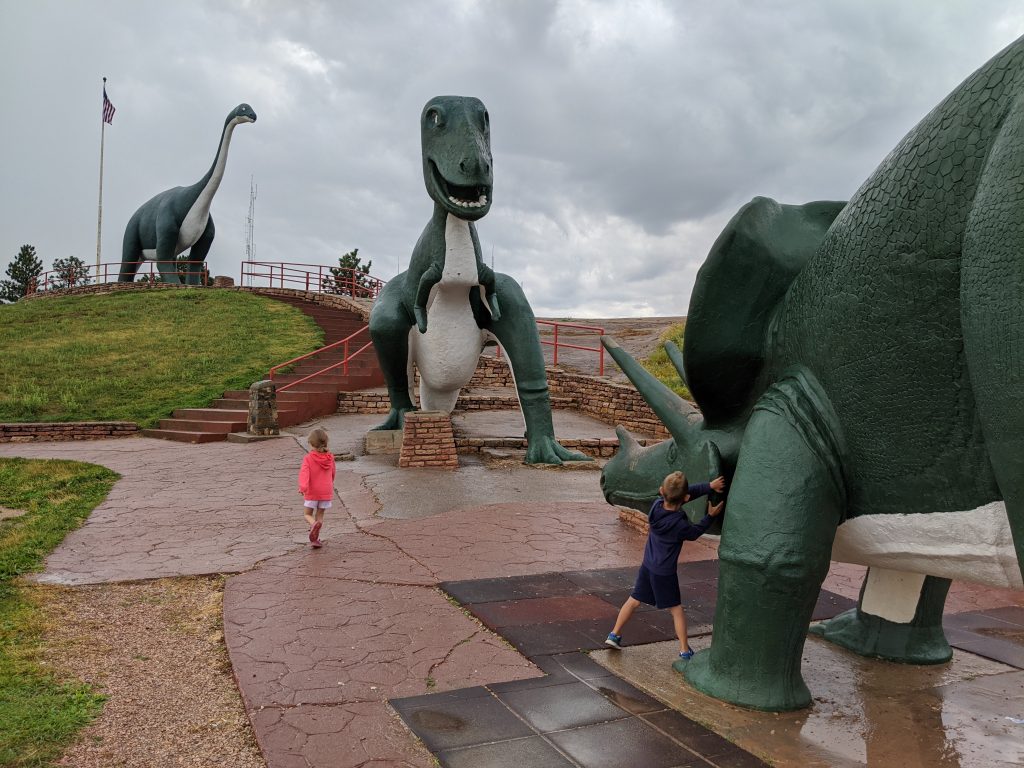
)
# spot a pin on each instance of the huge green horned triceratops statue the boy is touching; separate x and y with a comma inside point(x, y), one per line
point(861, 372)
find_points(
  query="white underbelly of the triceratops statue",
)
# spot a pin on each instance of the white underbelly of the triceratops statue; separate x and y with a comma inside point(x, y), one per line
point(974, 546)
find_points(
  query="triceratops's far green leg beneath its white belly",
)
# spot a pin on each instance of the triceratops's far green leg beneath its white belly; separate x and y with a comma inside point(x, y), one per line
point(920, 641)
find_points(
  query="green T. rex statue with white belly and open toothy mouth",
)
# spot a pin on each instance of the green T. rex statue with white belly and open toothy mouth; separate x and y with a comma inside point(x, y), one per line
point(449, 304)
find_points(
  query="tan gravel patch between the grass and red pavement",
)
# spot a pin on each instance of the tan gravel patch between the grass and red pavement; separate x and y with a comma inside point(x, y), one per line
point(156, 650)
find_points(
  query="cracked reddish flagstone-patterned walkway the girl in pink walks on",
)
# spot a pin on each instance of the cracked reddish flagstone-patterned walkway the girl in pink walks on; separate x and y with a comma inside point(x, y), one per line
point(321, 641)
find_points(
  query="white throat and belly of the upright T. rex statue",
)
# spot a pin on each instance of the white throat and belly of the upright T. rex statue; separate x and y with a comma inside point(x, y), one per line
point(448, 354)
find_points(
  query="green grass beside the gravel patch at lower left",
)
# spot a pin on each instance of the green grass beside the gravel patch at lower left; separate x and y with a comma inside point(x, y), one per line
point(40, 711)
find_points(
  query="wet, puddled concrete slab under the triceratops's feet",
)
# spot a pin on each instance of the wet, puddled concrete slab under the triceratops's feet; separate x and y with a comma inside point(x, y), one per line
point(866, 712)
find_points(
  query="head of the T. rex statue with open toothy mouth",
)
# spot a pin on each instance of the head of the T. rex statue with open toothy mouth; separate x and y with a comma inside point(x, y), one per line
point(457, 163)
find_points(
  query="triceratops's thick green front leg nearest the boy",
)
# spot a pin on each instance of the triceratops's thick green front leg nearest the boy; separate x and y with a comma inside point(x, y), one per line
point(781, 520)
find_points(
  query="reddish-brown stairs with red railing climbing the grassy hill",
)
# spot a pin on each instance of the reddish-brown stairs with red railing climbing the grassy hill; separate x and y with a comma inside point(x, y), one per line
point(319, 397)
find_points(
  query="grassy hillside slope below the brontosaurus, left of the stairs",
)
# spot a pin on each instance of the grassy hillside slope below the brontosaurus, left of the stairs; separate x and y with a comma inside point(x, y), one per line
point(139, 356)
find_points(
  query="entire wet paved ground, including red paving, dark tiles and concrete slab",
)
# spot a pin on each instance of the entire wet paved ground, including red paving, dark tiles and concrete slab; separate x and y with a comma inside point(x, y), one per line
point(455, 606)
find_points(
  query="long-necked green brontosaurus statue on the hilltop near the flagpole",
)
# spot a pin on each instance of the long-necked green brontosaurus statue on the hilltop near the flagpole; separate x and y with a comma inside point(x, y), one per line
point(178, 220)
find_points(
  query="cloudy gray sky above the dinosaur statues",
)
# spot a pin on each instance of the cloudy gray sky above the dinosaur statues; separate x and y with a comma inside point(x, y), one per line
point(625, 133)
